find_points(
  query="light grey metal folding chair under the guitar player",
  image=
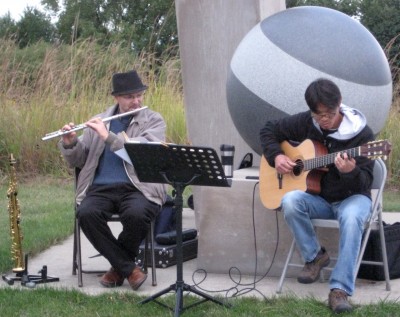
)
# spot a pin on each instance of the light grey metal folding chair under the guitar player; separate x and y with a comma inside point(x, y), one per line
point(373, 223)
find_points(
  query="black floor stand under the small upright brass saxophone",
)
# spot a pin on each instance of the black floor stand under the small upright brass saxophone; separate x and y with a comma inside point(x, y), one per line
point(29, 280)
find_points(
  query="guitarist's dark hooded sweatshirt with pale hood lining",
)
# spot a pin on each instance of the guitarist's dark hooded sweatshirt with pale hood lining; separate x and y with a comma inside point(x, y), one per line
point(352, 132)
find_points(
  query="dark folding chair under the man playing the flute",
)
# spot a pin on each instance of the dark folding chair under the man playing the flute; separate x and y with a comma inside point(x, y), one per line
point(77, 253)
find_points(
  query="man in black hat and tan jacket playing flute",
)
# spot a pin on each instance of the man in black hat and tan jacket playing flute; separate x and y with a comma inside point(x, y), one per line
point(107, 185)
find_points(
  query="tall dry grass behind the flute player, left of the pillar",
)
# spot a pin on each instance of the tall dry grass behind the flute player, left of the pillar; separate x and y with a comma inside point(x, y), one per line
point(43, 87)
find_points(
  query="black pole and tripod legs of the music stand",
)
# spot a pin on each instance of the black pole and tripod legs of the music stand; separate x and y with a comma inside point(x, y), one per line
point(180, 286)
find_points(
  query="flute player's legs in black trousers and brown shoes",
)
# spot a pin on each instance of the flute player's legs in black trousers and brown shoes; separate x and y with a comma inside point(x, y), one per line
point(94, 212)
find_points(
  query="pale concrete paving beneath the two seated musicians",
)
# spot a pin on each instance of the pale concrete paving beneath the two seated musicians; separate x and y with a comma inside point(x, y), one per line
point(58, 260)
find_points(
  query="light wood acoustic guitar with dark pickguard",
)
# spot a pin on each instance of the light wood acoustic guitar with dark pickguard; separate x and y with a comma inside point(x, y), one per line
point(311, 160)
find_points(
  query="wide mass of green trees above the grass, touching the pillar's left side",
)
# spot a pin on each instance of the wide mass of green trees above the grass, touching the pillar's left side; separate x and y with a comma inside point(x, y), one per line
point(141, 24)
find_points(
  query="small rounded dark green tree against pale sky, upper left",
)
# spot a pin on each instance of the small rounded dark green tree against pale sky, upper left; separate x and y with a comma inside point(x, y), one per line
point(34, 26)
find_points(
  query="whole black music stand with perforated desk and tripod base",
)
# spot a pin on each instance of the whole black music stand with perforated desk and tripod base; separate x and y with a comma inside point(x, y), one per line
point(178, 166)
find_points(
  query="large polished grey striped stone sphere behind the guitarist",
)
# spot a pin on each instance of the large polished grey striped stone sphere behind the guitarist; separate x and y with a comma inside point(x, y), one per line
point(276, 61)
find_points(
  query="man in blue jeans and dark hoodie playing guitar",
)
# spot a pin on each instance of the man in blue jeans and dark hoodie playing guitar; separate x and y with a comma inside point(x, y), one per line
point(345, 185)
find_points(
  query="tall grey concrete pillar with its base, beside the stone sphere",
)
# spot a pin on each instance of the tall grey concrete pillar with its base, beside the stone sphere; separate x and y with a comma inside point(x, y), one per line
point(209, 33)
